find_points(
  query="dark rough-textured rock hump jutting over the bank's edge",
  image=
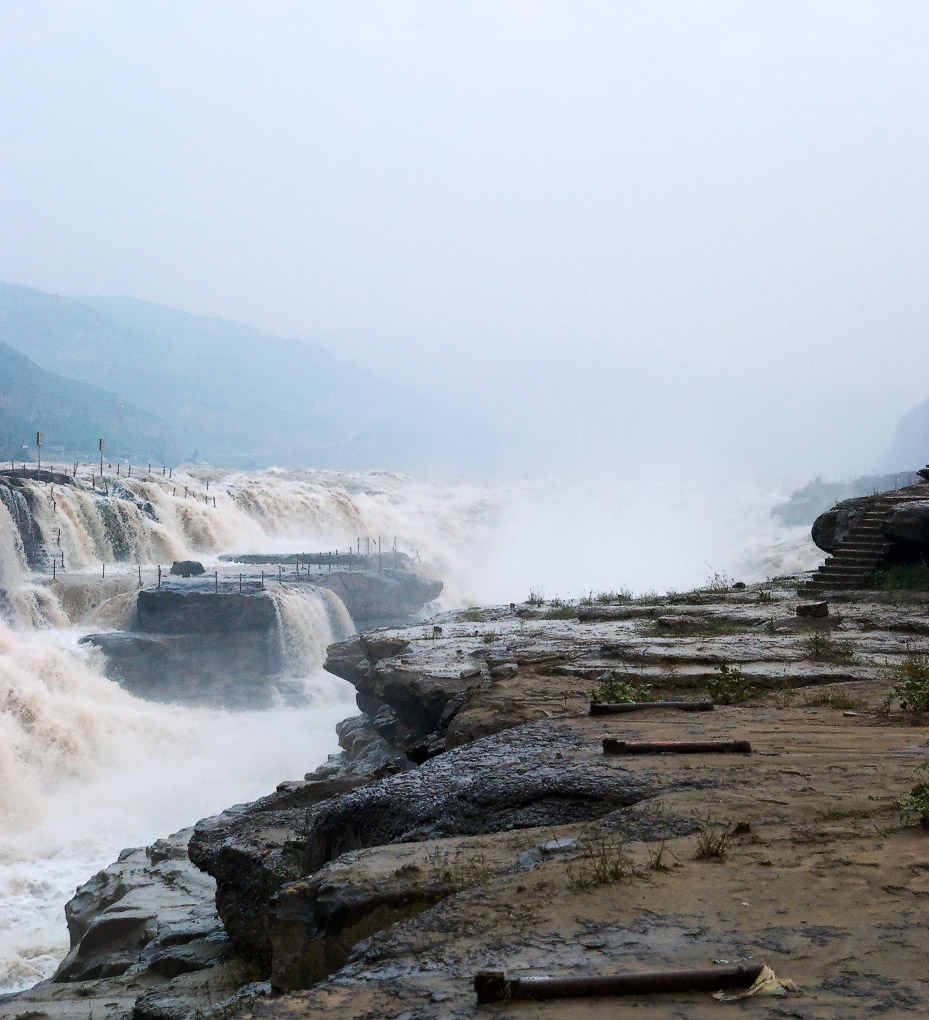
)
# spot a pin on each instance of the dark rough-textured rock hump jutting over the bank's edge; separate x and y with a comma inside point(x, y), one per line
point(541, 775)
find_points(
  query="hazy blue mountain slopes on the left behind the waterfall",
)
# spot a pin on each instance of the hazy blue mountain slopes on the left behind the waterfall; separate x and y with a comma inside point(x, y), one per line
point(218, 391)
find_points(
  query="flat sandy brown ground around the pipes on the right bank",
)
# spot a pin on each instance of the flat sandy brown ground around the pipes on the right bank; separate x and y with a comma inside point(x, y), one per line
point(824, 887)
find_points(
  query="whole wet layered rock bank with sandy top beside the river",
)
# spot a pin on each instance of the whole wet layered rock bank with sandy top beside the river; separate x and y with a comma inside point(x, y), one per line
point(473, 821)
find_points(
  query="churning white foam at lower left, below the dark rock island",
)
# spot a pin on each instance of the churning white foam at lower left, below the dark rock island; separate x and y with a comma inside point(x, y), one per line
point(87, 771)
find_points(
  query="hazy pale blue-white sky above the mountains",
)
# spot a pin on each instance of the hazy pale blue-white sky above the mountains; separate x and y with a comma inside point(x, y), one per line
point(697, 230)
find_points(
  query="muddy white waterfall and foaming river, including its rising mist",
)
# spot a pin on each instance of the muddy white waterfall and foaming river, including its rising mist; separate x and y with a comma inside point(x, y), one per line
point(86, 770)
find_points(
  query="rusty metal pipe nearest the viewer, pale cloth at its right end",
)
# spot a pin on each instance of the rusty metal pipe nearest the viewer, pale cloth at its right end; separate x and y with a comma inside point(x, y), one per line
point(495, 987)
